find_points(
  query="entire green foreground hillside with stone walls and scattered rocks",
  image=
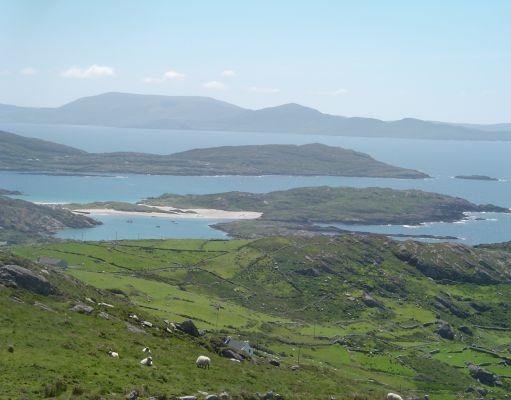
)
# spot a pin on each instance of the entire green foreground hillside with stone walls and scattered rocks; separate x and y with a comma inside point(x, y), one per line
point(352, 317)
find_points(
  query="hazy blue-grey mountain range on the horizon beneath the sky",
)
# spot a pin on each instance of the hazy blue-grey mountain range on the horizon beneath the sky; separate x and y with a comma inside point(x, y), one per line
point(204, 113)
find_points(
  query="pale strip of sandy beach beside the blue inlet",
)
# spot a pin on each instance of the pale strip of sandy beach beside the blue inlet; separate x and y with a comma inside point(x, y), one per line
point(174, 213)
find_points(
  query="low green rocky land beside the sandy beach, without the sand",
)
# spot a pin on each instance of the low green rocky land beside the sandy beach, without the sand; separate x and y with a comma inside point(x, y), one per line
point(305, 206)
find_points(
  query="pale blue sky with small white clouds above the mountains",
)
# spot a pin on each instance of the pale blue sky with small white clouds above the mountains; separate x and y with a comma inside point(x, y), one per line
point(437, 60)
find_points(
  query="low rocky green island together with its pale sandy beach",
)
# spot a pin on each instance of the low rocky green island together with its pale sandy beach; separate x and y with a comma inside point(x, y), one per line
point(302, 211)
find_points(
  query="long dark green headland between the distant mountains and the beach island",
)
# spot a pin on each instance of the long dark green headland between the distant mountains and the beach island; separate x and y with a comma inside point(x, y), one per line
point(19, 153)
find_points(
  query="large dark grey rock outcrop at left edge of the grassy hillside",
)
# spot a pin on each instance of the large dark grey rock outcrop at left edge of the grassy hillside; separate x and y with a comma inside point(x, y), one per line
point(20, 277)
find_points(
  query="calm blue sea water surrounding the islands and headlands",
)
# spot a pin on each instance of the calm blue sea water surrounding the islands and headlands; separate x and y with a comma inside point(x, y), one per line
point(440, 159)
